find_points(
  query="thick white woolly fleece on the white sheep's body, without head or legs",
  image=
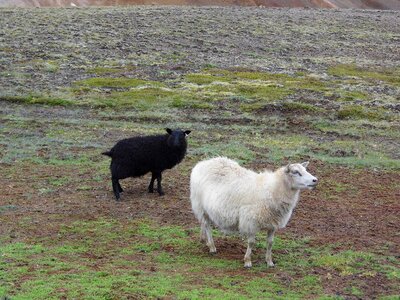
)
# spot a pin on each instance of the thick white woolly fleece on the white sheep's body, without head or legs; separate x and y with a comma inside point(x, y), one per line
point(238, 199)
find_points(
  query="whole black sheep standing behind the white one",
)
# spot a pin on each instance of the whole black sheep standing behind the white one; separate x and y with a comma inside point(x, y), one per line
point(137, 156)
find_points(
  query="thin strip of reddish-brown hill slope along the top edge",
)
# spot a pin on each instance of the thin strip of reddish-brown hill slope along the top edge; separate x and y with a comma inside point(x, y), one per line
point(360, 4)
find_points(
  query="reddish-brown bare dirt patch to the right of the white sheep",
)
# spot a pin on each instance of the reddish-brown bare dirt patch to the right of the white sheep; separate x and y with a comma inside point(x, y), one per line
point(364, 215)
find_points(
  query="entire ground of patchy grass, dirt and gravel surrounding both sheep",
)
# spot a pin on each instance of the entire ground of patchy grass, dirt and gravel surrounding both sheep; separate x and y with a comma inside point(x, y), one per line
point(289, 95)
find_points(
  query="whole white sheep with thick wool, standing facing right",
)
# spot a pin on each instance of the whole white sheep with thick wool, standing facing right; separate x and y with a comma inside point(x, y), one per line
point(236, 199)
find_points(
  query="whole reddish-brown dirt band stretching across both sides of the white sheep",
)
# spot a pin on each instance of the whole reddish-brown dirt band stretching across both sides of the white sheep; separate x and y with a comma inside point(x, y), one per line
point(364, 216)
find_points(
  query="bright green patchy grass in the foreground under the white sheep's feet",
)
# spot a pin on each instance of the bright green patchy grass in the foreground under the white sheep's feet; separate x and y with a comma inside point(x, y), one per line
point(108, 259)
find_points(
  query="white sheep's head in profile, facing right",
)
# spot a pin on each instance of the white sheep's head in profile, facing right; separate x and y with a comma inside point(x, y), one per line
point(299, 177)
